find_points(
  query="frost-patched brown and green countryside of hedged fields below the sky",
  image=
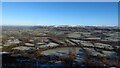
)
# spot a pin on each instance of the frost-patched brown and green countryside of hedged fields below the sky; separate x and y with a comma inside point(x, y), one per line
point(60, 46)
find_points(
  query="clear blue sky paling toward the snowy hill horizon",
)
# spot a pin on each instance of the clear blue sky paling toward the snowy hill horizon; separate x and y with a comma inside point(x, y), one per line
point(60, 13)
